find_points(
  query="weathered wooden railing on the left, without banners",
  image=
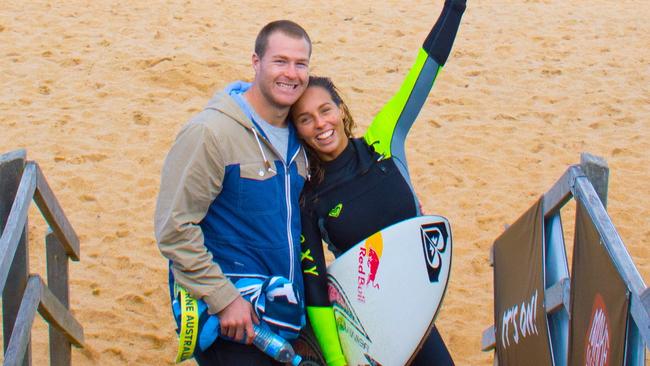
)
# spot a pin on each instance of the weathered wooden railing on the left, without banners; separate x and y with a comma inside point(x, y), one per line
point(23, 293)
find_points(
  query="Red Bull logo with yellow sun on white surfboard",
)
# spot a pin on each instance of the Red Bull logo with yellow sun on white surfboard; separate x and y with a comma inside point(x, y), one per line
point(369, 260)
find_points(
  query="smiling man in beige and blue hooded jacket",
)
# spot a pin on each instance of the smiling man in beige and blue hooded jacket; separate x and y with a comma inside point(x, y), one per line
point(227, 211)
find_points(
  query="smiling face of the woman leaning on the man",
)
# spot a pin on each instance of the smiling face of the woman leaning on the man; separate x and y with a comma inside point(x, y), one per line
point(319, 122)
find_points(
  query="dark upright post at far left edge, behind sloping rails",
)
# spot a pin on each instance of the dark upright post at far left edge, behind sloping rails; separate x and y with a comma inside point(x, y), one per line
point(12, 165)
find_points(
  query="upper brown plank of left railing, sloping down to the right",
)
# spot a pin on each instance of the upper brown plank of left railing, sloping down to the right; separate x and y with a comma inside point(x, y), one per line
point(53, 213)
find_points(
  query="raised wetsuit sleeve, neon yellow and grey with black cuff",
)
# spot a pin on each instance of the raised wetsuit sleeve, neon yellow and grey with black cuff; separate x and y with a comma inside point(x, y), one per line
point(388, 131)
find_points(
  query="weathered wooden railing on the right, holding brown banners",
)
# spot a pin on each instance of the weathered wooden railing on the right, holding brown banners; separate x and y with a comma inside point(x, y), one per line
point(587, 183)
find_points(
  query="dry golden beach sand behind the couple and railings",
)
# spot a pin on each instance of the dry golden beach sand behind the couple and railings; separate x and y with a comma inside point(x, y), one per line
point(96, 91)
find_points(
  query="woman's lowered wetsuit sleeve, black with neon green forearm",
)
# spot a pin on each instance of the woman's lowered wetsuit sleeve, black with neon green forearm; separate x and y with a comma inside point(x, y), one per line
point(319, 309)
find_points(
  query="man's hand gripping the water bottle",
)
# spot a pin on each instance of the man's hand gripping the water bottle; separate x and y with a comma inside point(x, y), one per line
point(237, 320)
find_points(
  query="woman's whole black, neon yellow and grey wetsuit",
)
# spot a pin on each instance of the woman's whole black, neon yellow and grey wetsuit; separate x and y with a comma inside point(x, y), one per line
point(368, 188)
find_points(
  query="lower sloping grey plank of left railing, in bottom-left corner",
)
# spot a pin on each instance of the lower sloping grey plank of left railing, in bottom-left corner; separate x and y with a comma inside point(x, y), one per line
point(20, 336)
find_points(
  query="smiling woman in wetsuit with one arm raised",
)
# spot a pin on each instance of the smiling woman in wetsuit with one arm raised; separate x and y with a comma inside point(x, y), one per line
point(350, 176)
